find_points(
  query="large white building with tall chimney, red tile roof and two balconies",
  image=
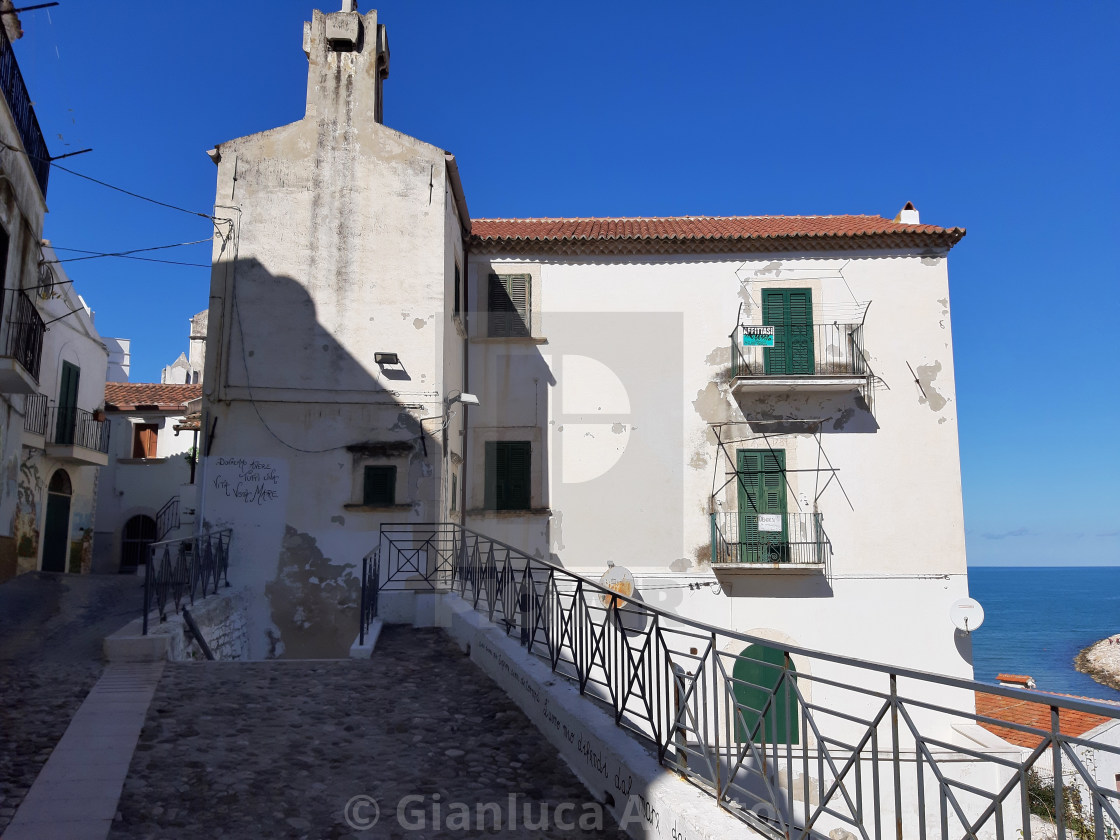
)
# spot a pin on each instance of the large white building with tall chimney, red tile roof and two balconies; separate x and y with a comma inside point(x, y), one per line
point(808, 492)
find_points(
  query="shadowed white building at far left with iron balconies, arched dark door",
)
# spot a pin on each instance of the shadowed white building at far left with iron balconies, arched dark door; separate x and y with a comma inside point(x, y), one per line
point(52, 361)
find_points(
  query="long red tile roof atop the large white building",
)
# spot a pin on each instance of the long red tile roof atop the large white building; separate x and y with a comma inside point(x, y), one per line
point(710, 235)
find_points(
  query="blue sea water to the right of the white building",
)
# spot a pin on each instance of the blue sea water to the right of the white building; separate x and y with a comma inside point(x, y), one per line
point(1037, 620)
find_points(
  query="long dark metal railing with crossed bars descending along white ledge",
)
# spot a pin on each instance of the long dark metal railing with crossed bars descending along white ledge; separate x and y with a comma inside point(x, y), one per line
point(796, 743)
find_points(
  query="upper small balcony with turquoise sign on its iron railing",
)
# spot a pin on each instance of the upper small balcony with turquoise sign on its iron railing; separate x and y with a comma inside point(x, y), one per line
point(800, 358)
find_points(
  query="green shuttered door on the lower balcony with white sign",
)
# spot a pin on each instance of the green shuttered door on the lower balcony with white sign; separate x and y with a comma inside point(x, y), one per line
point(762, 492)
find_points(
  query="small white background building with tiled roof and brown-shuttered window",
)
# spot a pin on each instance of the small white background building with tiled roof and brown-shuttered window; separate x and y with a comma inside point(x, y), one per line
point(147, 490)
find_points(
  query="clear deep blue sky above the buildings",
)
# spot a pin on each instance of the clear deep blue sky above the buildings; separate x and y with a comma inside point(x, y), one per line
point(1002, 118)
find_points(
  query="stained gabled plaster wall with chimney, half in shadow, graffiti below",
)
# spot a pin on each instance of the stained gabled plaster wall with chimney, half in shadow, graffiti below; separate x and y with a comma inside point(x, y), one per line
point(342, 246)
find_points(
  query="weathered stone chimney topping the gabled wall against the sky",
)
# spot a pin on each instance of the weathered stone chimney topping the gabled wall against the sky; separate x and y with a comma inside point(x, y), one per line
point(348, 55)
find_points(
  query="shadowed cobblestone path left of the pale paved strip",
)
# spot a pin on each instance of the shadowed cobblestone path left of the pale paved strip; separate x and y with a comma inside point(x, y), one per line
point(51, 632)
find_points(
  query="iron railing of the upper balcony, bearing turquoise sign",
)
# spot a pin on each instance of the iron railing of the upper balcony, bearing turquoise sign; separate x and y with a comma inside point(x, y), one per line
point(819, 350)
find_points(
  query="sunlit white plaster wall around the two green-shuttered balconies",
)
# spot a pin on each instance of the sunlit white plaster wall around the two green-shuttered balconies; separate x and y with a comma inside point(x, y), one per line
point(900, 554)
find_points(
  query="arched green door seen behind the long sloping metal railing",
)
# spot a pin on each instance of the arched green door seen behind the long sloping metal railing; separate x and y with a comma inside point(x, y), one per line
point(762, 668)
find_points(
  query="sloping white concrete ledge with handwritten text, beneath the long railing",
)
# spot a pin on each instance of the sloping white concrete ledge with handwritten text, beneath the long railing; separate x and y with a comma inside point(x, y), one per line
point(647, 800)
